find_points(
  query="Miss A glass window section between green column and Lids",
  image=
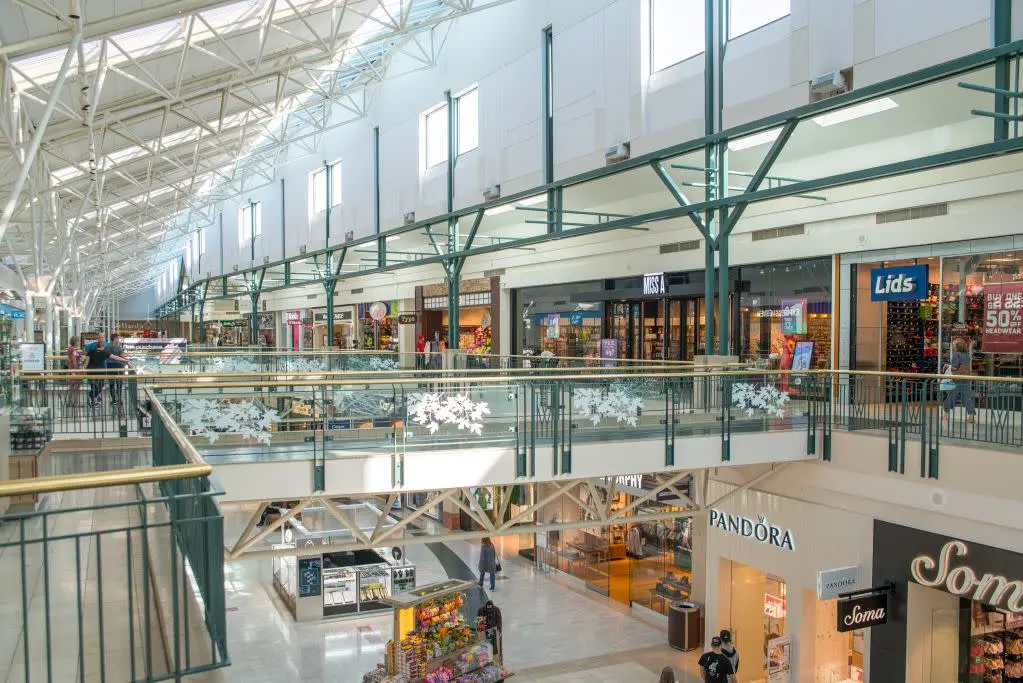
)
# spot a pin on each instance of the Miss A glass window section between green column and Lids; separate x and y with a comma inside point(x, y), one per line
point(785, 316)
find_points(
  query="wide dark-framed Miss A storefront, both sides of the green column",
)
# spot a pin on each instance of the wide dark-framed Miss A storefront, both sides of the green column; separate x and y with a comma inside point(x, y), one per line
point(781, 314)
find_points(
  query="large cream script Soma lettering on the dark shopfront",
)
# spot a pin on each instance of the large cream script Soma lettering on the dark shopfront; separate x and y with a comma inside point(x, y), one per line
point(959, 578)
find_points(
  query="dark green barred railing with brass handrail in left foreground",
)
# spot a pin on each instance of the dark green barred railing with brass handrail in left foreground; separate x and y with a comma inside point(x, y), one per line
point(116, 576)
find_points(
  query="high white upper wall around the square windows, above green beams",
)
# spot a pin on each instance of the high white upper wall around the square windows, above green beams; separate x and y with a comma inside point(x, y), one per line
point(604, 95)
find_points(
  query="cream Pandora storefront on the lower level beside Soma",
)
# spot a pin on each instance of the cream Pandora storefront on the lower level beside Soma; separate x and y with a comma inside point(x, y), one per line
point(764, 569)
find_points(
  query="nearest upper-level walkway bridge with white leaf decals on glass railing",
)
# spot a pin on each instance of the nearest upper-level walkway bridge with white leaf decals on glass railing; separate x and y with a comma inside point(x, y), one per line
point(357, 425)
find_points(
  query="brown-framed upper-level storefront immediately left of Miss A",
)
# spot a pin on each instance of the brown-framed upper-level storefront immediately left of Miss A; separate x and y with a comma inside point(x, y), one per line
point(479, 314)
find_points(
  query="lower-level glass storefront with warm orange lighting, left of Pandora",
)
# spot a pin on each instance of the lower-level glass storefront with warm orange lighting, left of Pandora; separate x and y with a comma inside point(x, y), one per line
point(643, 565)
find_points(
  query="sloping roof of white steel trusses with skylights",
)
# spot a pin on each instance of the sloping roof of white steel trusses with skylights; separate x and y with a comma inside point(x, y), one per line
point(121, 132)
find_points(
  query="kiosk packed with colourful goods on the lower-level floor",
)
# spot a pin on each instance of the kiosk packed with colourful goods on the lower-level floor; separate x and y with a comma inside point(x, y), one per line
point(435, 642)
